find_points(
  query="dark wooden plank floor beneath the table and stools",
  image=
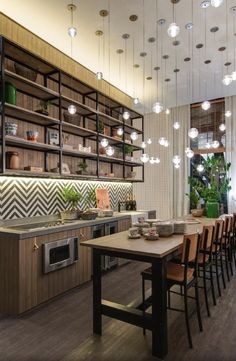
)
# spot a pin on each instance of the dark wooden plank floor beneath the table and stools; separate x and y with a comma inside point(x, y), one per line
point(62, 329)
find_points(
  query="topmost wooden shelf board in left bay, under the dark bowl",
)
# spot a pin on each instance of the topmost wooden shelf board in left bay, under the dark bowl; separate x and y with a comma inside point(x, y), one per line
point(29, 87)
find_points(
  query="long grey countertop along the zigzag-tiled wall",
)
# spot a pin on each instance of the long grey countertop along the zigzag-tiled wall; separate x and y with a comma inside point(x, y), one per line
point(6, 231)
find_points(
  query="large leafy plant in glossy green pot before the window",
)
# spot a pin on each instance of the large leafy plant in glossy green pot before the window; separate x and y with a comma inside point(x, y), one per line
point(215, 185)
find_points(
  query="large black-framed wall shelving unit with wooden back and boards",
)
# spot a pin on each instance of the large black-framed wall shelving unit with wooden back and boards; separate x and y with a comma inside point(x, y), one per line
point(93, 108)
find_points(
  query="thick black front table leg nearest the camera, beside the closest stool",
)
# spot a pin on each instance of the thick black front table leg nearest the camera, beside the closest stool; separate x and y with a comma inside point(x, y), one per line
point(159, 309)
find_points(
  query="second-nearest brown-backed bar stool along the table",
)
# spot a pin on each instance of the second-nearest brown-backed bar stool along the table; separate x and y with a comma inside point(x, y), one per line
point(205, 263)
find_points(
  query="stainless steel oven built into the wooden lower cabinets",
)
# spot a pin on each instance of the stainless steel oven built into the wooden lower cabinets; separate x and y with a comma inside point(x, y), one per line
point(59, 254)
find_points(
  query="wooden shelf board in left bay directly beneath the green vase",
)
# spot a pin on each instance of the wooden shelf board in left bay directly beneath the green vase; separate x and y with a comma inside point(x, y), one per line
point(29, 115)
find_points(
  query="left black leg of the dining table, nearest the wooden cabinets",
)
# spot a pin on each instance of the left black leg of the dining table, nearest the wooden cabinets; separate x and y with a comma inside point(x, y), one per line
point(97, 293)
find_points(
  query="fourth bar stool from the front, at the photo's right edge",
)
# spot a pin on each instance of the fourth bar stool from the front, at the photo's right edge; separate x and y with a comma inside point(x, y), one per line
point(227, 244)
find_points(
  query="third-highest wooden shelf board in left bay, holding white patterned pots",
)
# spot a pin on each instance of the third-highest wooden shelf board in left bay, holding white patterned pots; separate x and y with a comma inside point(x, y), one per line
point(23, 143)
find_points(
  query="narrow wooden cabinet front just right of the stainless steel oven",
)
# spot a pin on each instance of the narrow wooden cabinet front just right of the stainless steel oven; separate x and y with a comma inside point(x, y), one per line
point(85, 269)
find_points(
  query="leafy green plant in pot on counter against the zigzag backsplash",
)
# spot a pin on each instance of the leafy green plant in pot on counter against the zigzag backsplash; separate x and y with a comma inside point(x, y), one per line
point(72, 197)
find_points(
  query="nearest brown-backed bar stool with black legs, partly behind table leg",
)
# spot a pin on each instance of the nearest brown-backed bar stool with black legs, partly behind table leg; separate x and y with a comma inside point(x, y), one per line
point(185, 275)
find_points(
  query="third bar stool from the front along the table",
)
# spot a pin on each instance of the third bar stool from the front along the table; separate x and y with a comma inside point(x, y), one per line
point(217, 253)
